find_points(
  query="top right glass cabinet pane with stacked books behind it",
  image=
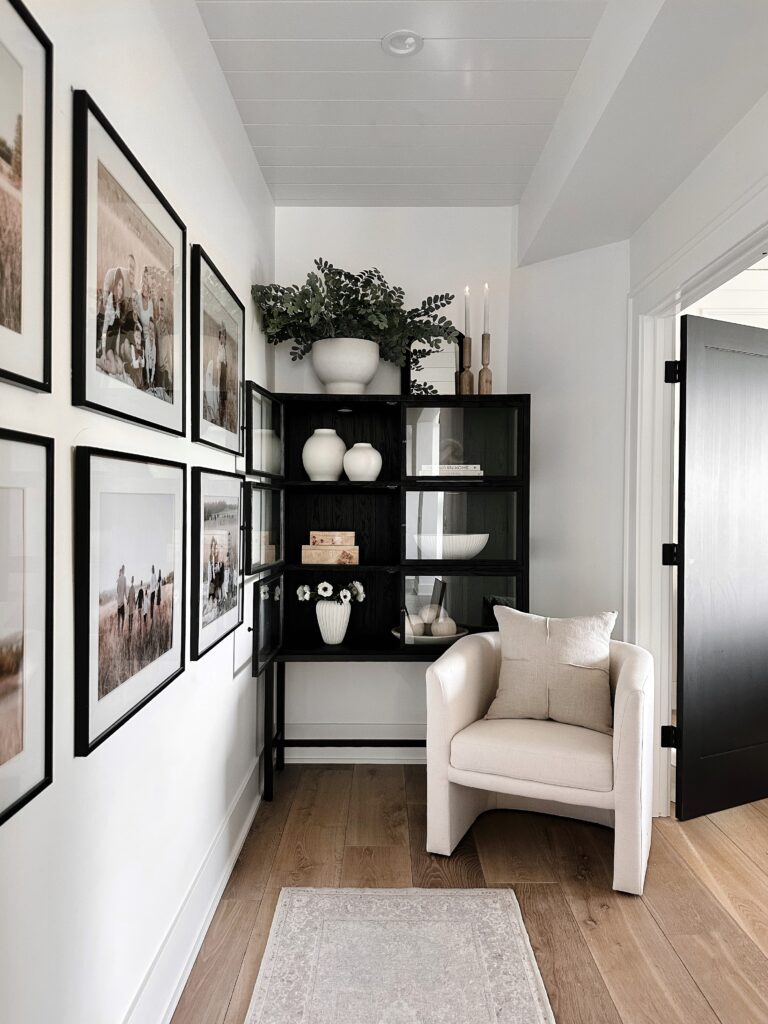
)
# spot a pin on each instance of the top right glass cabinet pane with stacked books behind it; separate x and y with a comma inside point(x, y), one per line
point(470, 442)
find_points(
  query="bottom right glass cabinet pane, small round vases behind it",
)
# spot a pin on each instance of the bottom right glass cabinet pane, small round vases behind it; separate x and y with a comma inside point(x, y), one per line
point(441, 609)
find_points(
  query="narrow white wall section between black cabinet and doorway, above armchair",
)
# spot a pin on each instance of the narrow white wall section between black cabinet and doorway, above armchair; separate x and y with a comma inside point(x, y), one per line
point(568, 350)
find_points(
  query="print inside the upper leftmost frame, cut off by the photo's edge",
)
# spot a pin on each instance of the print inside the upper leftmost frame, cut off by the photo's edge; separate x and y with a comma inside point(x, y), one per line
point(12, 93)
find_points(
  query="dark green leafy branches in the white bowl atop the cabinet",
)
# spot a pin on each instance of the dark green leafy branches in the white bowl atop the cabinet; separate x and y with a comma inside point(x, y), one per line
point(334, 304)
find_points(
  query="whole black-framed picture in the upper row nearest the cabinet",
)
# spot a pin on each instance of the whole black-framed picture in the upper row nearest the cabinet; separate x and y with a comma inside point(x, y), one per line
point(219, 326)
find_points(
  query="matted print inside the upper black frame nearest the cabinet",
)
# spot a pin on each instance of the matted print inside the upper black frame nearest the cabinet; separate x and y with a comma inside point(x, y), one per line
point(221, 354)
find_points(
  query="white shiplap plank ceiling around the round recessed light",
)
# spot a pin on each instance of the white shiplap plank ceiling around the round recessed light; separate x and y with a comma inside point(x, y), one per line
point(336, 121)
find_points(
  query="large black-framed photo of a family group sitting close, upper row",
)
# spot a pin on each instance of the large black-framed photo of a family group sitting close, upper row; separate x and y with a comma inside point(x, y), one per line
point(130, 265)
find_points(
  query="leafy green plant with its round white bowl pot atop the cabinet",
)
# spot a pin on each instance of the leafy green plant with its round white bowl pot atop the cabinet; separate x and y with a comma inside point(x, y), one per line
point(349, 322)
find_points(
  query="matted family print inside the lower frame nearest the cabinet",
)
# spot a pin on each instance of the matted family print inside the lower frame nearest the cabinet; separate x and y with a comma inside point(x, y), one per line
point(221, 568)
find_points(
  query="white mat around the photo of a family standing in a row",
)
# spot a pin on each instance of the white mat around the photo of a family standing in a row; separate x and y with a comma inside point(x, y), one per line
point(122, 477)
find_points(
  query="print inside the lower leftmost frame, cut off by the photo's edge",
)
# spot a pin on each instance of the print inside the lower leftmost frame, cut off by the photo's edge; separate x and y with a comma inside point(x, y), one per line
point(12, 623)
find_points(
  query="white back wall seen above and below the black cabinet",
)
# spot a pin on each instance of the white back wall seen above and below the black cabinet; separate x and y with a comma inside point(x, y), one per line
point(426, 251)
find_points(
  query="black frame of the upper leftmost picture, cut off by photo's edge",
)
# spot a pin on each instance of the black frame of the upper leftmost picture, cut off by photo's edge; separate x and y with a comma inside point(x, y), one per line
point(44, 383)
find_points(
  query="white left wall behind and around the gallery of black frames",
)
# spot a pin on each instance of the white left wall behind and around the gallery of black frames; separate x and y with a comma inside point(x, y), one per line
point(96, 871)
